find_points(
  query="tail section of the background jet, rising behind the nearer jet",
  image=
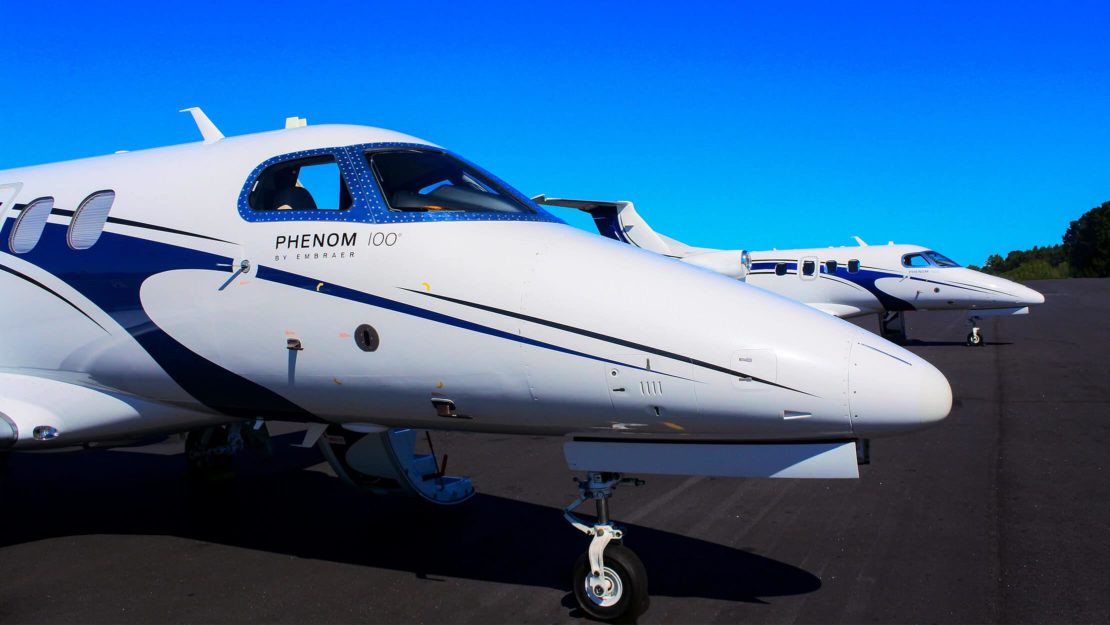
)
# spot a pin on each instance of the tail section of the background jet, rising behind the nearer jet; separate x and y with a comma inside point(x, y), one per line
point(621, 221)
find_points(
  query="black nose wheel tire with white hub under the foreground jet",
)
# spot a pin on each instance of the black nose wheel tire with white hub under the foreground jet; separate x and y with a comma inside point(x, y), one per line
point(621, 592)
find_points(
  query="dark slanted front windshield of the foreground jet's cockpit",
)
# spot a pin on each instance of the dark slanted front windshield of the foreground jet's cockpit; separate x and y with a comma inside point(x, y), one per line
point(427, 182)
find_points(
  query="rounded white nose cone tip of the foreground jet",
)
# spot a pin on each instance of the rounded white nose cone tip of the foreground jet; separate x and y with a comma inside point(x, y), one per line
point(892, 391)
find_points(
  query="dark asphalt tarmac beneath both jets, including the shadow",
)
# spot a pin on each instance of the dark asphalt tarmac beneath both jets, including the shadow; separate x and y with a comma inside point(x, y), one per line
point(1001, 515)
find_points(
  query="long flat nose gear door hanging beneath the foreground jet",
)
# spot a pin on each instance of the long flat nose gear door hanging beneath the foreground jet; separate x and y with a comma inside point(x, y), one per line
point(833, 460)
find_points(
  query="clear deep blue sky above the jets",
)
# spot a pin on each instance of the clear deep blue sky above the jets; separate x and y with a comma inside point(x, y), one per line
point(971, 128)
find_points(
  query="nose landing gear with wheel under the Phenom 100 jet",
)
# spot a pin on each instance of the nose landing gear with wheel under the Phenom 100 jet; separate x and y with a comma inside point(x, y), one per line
point(610, 582)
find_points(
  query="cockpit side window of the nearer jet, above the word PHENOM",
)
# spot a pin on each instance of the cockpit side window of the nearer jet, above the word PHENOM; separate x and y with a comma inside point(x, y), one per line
point(314, 184)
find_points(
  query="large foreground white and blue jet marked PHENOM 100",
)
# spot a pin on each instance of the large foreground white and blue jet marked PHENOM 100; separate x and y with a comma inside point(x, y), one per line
point(369, 284)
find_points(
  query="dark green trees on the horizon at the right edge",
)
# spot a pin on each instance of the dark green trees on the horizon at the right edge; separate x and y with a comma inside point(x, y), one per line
point(1085, 253)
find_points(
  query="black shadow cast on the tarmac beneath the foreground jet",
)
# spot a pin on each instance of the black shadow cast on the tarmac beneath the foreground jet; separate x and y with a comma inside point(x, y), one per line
point(275, 506)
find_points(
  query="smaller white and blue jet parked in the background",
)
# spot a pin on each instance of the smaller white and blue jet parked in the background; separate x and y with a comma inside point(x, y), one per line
point(845, 283)
